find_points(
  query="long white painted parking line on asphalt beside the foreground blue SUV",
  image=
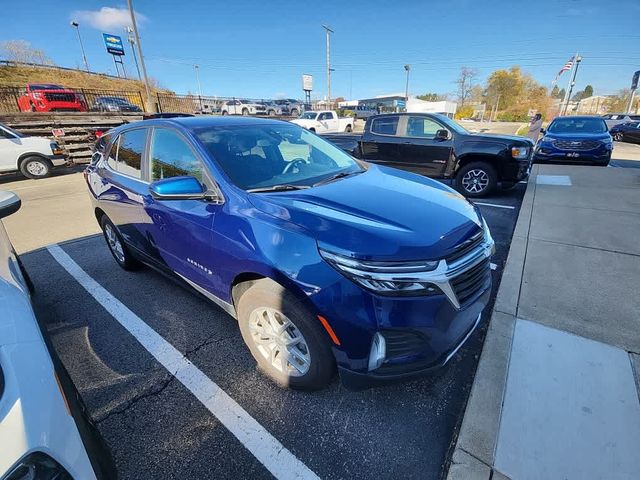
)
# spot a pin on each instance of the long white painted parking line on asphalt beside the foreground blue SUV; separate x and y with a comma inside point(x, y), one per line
point(267, 449)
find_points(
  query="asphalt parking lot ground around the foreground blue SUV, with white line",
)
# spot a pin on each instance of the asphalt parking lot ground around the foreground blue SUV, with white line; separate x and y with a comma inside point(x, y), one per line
point(159, 425)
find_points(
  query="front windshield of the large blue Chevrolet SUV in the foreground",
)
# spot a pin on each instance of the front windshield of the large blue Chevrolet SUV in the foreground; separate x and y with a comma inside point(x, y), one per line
point(262, 156)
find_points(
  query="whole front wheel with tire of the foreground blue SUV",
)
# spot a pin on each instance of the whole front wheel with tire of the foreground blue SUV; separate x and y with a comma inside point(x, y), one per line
point(284, 337)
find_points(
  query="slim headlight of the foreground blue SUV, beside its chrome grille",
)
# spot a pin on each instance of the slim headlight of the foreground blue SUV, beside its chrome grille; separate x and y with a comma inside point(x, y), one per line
point(386, 278)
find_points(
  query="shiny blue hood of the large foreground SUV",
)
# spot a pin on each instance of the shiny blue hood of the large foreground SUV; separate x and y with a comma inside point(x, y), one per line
point(380, 214)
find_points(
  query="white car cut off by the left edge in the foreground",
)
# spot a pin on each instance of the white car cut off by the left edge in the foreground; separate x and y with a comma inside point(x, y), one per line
point(45, 431)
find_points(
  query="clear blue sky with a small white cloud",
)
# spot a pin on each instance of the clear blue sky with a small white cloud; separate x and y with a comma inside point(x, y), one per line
point(261, 48)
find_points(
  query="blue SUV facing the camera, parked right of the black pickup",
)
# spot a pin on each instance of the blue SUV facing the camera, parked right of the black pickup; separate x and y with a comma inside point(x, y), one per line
point(575, 139)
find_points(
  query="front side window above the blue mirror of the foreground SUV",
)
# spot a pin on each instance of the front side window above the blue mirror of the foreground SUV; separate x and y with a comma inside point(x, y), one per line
point(171, 156)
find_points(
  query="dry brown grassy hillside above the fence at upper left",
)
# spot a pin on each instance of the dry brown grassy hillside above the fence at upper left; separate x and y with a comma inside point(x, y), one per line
point(21, 75)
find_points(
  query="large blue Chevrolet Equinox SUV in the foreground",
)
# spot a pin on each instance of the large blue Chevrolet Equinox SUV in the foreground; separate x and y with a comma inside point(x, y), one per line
point(327, 262)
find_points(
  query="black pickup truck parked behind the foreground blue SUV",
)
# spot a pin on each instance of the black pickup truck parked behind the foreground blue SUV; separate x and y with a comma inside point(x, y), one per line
point(436, 146)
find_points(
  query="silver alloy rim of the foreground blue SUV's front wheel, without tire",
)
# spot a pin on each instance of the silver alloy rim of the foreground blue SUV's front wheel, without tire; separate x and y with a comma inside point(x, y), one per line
point(279, 341)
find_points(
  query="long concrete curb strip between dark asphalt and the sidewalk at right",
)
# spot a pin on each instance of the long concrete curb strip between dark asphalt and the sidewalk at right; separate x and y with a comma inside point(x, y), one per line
point(474, 453)
